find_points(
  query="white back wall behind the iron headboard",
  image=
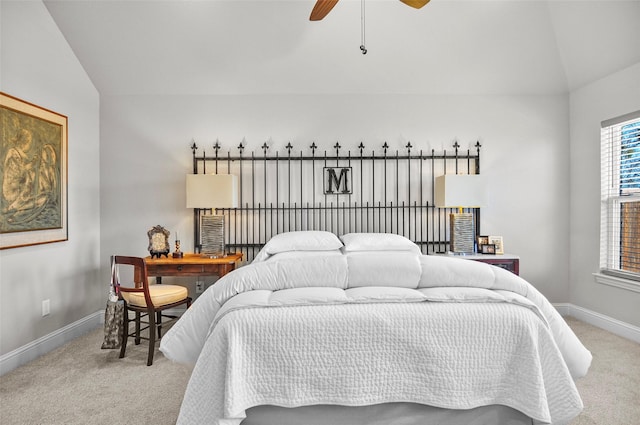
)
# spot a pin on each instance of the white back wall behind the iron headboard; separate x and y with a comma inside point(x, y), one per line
point(145, 155)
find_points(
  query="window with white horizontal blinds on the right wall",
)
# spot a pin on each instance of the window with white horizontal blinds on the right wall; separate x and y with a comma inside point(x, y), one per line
point(620, 197)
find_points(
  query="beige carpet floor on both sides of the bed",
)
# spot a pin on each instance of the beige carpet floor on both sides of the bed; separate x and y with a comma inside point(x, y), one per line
point(81, 384)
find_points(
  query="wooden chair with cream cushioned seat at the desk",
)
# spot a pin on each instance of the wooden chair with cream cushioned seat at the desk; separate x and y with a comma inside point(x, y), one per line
point(147, 301)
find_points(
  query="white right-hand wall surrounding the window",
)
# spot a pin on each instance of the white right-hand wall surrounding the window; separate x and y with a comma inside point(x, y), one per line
point(609, 97)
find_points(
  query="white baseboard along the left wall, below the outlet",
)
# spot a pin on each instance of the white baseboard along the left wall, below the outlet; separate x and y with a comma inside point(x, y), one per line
point(43, 345)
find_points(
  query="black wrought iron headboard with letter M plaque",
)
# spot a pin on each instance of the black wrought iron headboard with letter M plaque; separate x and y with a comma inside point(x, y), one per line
point(384, 192)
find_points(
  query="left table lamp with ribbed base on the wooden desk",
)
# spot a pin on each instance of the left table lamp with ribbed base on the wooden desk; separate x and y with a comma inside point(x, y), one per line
point(211, 191)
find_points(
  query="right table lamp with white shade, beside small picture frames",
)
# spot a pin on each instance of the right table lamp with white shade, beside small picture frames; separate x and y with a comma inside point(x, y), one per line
point(460, 191)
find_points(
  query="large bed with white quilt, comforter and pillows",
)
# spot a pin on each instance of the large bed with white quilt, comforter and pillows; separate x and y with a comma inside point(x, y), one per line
point(366, 329)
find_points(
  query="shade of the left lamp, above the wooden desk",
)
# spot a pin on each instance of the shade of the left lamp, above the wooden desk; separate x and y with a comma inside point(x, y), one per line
point(212, 191)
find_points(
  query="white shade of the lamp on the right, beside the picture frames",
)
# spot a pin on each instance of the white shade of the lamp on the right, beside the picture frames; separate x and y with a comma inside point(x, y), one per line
point(460, 191)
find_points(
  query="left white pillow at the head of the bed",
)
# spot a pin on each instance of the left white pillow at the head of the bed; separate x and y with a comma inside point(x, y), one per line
point(306, 240)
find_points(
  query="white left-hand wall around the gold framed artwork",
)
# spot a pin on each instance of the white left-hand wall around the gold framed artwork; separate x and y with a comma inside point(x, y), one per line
point(38, 66)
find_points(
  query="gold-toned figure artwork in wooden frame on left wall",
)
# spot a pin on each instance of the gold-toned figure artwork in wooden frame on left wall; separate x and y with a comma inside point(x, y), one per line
point(33, 180)
